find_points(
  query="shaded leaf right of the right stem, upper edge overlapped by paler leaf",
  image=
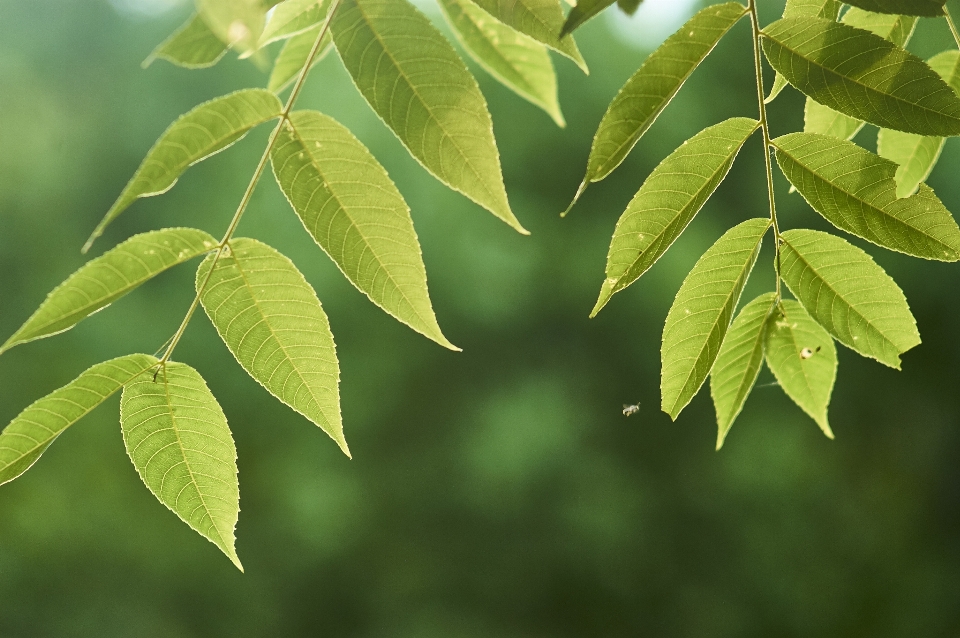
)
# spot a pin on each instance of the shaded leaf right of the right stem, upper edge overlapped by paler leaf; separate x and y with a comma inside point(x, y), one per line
point(855, 190)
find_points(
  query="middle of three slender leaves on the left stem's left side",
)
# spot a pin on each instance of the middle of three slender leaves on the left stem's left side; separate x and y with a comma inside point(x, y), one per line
point(105, 279)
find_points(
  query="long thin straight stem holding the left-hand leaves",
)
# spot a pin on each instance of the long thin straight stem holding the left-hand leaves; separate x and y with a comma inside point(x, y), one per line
point(248, 193)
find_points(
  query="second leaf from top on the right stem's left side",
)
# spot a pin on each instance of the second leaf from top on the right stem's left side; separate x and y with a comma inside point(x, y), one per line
point(668, 200)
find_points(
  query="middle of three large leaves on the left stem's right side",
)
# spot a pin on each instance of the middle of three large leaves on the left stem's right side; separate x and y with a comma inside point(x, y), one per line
point(352, 209)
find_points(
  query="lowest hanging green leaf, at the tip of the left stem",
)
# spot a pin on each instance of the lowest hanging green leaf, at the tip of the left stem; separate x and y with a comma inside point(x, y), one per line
point(178, 439)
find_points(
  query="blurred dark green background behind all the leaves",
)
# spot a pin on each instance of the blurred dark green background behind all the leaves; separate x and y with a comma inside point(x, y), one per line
point(497, 492)
